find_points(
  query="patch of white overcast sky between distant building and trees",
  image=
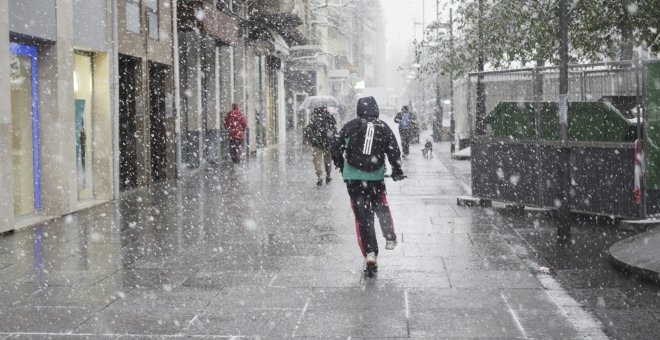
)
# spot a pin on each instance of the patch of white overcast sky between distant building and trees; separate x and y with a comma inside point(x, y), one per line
point(400, 16)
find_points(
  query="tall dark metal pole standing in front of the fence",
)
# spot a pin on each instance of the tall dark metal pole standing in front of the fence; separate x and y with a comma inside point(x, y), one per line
point(564, 228)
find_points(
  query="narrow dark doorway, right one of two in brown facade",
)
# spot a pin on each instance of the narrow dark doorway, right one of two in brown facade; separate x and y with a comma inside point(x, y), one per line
point(157, 90)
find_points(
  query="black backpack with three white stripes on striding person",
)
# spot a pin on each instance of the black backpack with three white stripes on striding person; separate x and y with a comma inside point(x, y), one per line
point(366, 145)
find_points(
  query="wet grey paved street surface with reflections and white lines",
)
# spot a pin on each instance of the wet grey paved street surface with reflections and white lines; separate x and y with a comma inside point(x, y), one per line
point(258, 250)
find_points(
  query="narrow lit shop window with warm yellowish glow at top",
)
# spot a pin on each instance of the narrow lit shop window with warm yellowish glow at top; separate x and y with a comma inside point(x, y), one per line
point(83, 93)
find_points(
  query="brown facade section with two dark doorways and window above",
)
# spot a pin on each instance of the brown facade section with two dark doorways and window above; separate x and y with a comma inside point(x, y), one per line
point(145, 92)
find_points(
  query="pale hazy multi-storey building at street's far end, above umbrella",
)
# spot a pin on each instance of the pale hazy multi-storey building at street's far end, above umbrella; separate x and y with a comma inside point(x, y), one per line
point(345, 53)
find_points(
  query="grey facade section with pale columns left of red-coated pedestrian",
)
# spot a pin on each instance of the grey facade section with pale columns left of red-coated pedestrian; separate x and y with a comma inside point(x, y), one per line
point(212, 56)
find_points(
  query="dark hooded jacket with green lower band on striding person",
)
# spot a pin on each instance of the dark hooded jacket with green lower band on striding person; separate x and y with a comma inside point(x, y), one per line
point(367, 111)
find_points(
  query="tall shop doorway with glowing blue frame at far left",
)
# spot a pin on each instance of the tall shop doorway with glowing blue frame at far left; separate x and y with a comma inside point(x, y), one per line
point(25, 129)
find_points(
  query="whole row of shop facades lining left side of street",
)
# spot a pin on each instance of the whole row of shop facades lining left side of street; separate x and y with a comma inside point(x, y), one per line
point(104, 96)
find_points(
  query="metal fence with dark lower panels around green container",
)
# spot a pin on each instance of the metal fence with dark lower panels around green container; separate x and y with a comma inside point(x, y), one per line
point(521, 167)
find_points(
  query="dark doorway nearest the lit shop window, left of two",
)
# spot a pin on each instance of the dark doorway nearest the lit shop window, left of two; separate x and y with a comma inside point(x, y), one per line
point(128, 87)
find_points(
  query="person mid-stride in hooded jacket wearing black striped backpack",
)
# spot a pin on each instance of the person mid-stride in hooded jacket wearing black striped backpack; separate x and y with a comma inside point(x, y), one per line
point(359, 152)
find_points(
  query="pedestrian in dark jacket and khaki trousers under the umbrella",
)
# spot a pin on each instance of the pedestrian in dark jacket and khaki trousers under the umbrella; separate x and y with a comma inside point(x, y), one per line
point(320, 132)
